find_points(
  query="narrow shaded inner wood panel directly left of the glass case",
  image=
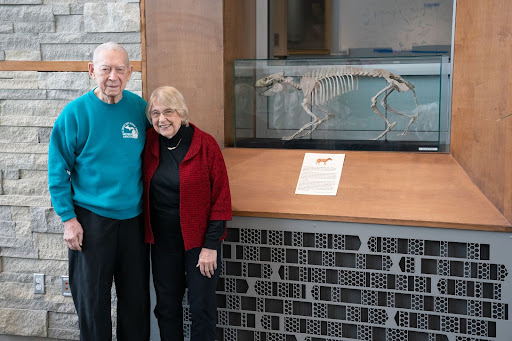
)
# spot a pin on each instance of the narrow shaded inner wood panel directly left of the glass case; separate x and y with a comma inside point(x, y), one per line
point(239, 43)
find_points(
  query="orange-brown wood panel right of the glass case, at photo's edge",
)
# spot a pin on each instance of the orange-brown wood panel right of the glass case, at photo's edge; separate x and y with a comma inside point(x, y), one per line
point(481, 138)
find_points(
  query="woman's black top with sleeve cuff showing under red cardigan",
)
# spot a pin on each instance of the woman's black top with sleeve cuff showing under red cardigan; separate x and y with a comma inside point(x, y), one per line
point(164, 191)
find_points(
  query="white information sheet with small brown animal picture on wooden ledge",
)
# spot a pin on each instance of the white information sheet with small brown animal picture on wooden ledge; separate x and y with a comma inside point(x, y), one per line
point(320, 174)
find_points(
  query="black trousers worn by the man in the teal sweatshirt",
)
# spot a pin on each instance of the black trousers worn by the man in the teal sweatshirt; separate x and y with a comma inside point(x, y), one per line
point(111, 249)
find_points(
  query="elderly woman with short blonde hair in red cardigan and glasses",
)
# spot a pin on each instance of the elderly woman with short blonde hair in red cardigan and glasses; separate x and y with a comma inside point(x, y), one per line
point(186, 203)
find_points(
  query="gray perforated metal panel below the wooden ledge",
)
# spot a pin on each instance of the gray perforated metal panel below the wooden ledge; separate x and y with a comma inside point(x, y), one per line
point(307, 281)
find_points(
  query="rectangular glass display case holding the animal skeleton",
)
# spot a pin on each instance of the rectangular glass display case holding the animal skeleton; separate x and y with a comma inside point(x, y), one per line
point(392, 104)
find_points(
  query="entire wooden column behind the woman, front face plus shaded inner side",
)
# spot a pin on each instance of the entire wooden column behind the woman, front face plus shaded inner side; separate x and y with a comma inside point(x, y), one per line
point(191, 45)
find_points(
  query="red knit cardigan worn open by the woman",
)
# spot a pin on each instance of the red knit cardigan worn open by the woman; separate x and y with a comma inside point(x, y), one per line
point(204, 186)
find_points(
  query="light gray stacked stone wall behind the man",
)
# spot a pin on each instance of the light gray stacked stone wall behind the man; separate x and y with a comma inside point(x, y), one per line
point(30, 101)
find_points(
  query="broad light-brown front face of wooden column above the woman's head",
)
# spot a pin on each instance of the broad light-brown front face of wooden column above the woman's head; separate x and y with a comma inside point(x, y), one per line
point(184, 49)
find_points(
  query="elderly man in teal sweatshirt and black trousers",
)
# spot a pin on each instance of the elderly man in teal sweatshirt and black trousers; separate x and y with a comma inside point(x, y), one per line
point(95, 178)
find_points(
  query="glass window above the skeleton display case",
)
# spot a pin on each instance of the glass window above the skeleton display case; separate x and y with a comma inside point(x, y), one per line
point(359, 28)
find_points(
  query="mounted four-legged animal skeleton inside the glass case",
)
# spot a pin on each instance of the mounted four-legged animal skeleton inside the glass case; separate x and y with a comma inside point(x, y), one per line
point(321, 86)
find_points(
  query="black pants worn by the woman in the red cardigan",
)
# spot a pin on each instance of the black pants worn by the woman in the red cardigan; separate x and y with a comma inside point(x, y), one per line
point(173, 270)
